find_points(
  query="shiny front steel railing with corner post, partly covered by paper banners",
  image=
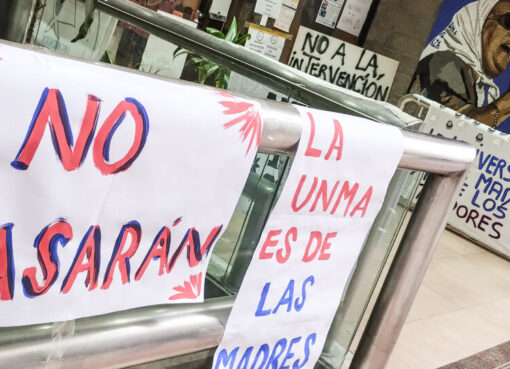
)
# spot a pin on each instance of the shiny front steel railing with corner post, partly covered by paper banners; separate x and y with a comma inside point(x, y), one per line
point(147, 334)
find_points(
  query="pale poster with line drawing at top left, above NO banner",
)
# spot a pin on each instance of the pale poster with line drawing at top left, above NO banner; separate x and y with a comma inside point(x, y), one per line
point(60, 23)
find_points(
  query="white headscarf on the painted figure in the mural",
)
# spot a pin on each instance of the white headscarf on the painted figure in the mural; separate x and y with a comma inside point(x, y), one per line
point(463, 36)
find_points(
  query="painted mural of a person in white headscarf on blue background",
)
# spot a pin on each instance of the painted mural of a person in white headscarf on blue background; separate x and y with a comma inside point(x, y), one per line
point(465, 63)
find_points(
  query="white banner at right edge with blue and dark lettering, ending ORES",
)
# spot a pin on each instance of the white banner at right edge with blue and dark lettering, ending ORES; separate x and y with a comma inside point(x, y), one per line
point(481, 209)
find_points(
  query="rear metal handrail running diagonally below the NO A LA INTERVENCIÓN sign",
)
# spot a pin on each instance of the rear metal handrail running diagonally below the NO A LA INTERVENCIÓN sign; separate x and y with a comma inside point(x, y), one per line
point(289, 81)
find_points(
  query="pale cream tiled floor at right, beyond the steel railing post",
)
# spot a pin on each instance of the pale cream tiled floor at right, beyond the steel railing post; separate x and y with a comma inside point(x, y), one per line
point(463, 307)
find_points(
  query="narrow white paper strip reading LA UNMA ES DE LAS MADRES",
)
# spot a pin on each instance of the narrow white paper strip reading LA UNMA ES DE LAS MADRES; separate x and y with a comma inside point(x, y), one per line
point(311, 242)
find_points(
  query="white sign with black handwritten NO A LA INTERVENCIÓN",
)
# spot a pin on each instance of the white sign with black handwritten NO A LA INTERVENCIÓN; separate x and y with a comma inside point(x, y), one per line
point(343, 64)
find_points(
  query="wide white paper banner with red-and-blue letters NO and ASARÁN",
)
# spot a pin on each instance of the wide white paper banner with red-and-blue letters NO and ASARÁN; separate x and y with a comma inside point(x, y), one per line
point(115, 187)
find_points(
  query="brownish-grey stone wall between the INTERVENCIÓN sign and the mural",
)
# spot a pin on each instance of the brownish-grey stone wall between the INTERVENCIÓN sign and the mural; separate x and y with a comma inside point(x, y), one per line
point(400, 30)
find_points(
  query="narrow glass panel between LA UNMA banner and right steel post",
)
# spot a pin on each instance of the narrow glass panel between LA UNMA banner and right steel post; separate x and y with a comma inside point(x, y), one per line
point(379, 247)
